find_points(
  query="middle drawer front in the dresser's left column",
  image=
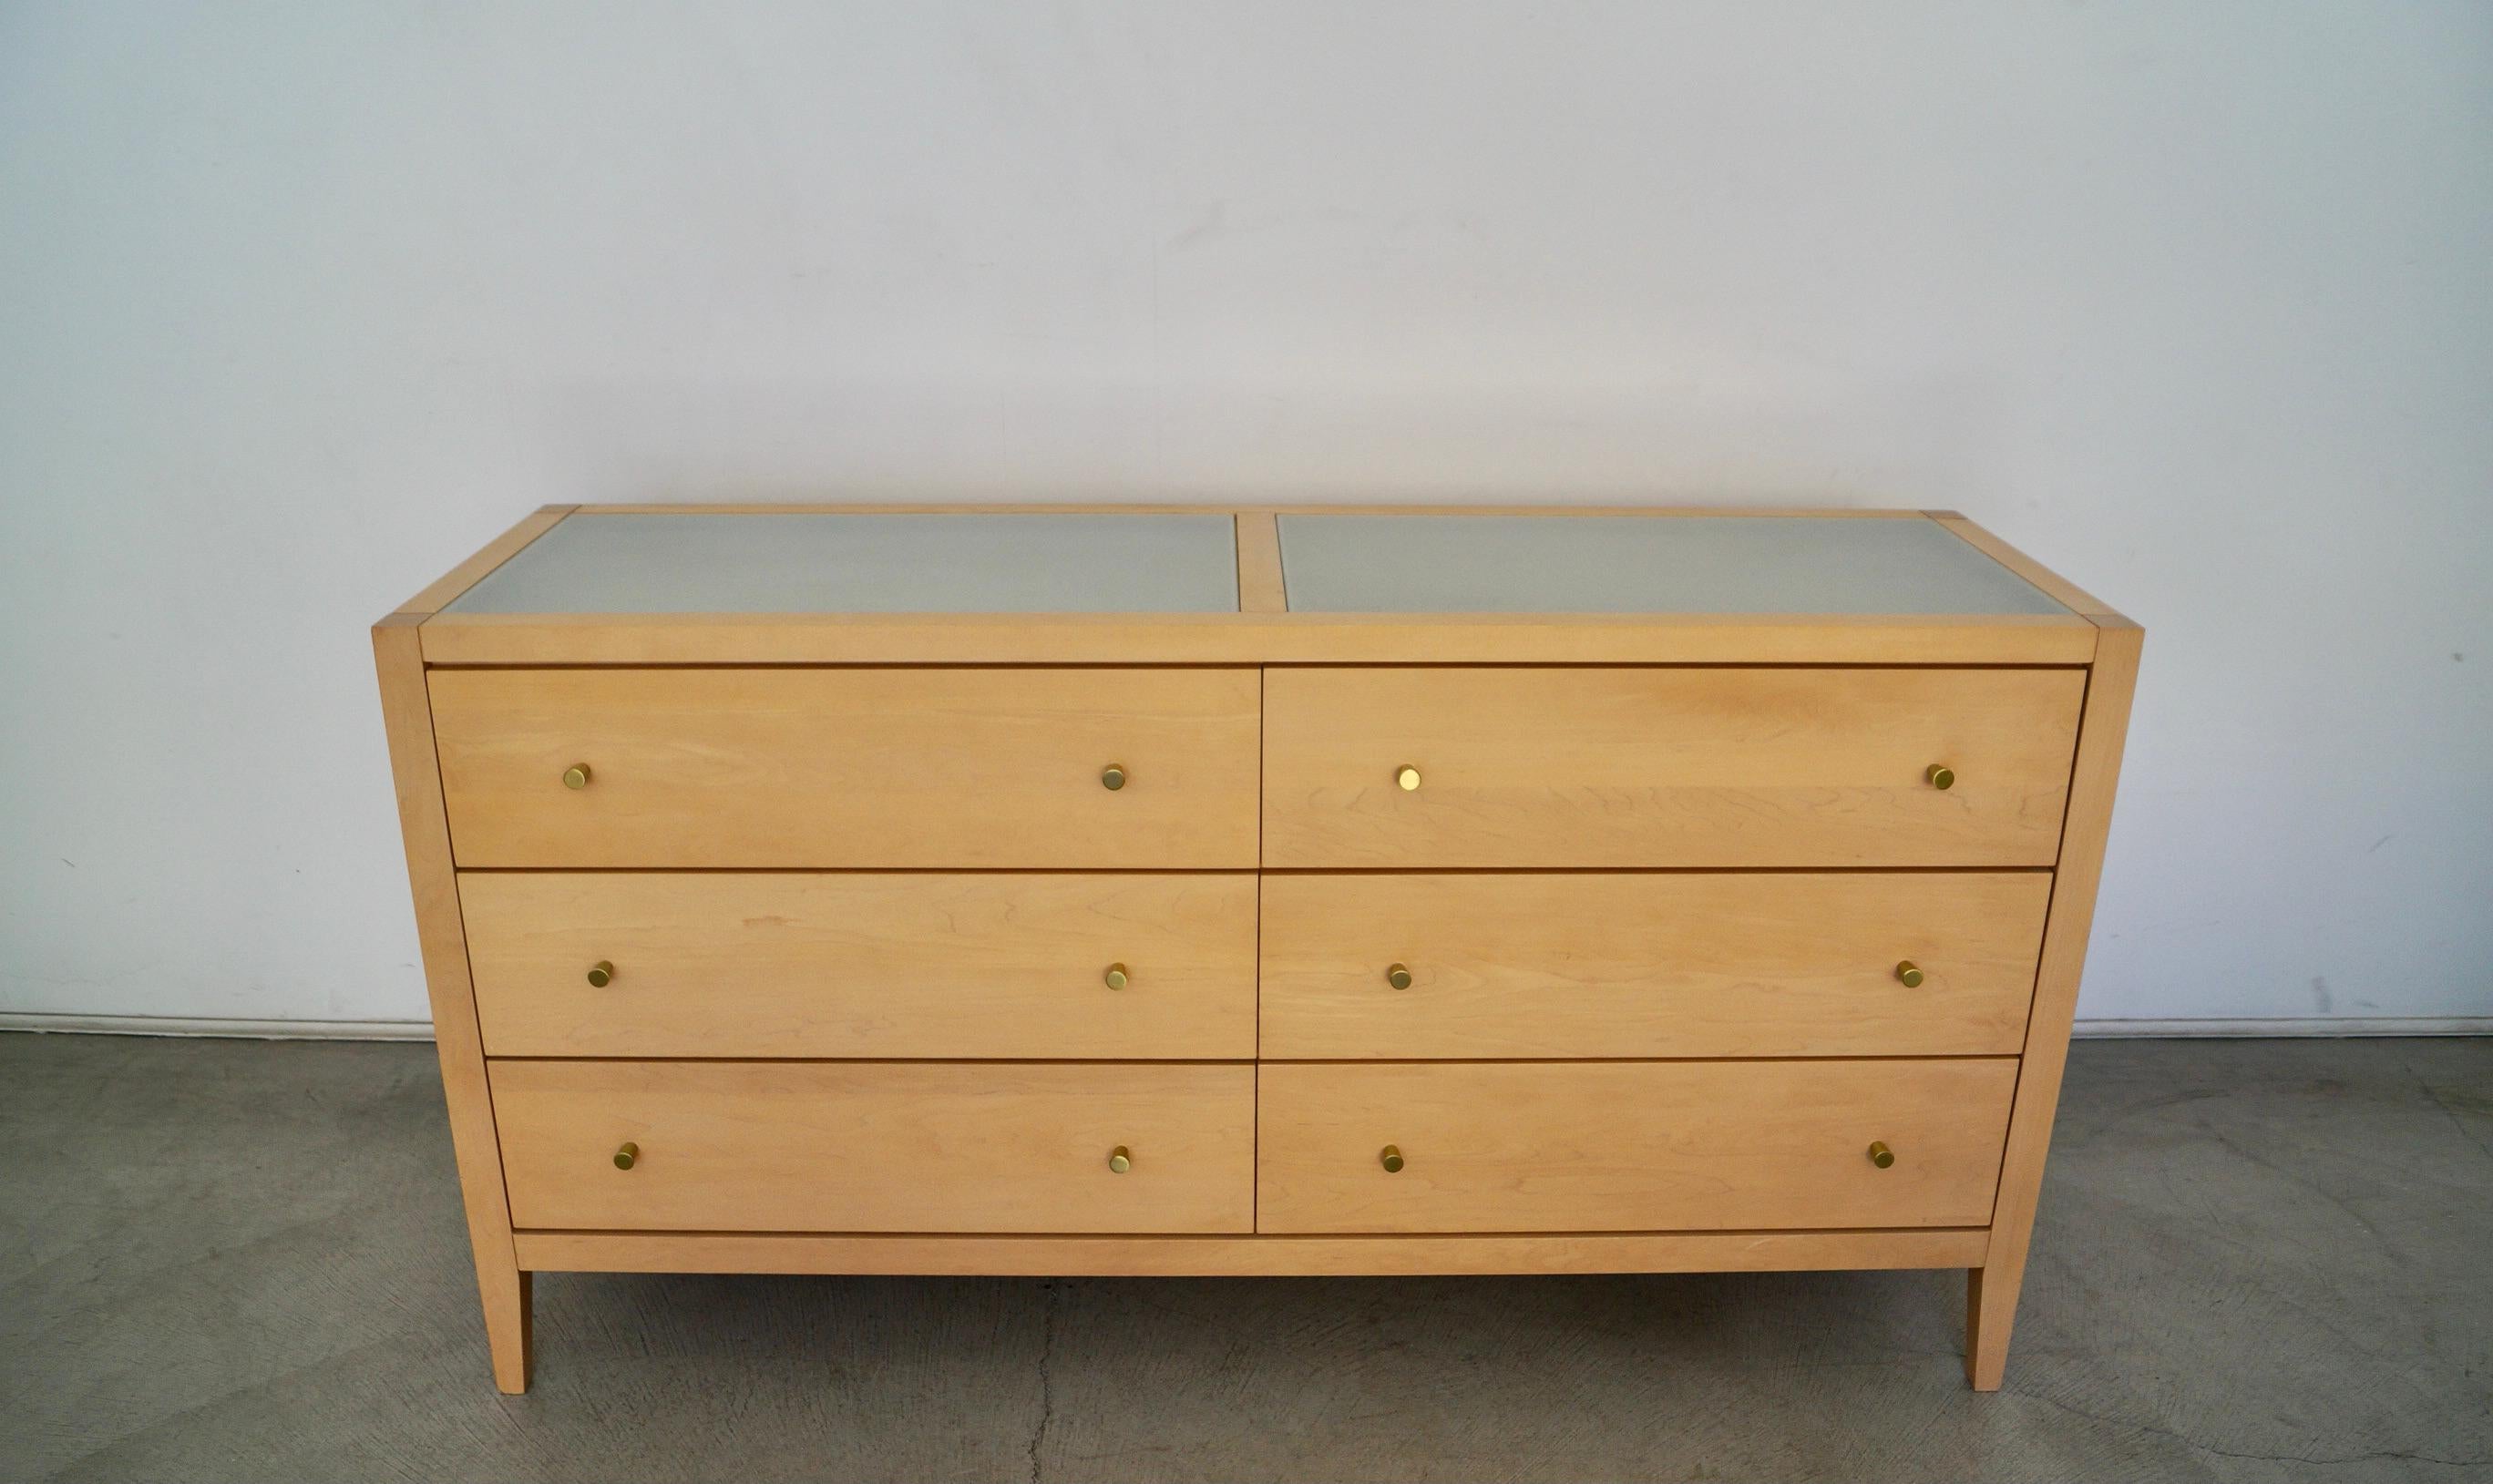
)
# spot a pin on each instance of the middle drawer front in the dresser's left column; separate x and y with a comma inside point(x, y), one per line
point(864, 966)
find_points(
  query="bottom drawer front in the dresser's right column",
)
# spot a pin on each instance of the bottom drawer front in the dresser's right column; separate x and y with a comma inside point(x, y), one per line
point(1629, 1146)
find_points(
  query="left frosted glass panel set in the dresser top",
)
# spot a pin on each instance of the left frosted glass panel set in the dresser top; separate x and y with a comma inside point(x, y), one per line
point(869, 565)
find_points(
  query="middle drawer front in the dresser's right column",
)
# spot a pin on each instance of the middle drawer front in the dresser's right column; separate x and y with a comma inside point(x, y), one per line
point(1649, 964)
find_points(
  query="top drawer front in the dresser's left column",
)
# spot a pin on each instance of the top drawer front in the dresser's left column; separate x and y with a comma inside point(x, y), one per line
point(841, 769)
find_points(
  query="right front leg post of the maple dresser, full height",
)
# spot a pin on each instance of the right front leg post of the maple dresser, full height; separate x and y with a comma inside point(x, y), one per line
point(1991, 1308)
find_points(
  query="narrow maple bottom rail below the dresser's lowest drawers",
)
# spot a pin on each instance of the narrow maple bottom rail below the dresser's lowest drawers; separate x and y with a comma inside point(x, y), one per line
point(1270, 1256)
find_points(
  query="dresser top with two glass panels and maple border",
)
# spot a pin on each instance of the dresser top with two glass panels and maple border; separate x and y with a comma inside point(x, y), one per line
point(1228, 585)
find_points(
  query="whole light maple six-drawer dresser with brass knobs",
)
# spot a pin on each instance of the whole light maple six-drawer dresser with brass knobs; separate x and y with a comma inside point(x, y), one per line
point(1253, 892)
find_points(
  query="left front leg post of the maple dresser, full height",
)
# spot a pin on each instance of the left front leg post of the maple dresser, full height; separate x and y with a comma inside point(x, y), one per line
point(443, 942)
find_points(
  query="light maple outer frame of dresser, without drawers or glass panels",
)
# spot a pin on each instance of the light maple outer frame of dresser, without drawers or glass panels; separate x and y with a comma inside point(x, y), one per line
point(423, 637)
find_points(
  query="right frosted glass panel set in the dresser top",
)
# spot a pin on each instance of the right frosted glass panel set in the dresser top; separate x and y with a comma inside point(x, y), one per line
point(1642, 565)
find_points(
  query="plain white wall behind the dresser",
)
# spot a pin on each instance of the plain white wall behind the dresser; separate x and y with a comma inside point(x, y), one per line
point(303, 303)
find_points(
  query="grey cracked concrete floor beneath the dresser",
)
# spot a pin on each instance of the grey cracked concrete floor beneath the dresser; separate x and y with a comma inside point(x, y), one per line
point(246, 1261)
